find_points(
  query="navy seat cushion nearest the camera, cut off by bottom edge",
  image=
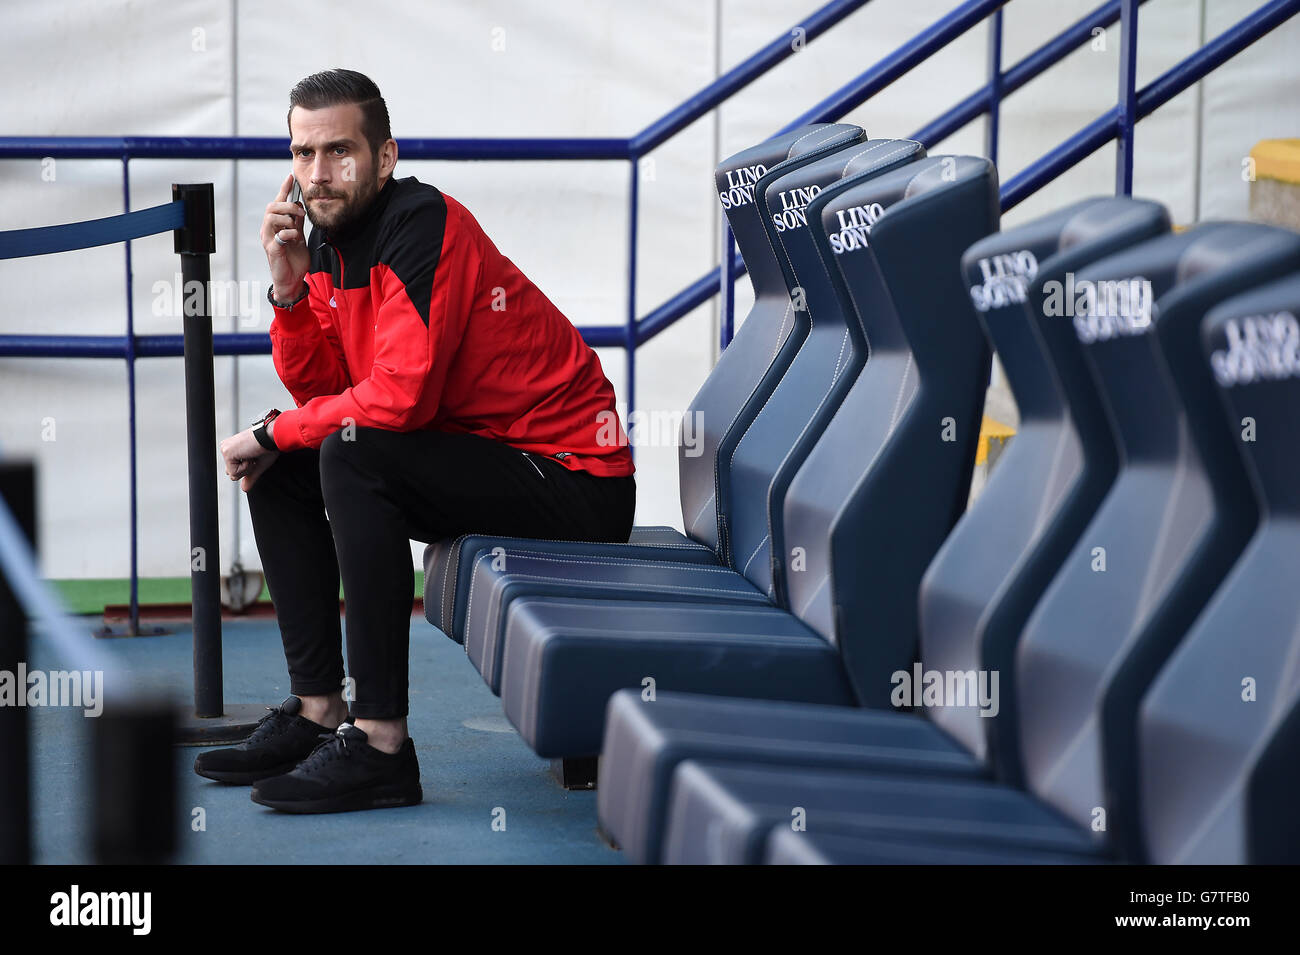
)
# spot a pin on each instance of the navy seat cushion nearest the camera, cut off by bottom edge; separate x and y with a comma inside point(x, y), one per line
point(788, 848)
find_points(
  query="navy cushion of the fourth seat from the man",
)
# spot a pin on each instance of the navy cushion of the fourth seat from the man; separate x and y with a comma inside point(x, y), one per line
point(647, 741)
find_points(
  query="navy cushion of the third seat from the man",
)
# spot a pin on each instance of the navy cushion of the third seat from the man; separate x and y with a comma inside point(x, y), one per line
point(565, 657)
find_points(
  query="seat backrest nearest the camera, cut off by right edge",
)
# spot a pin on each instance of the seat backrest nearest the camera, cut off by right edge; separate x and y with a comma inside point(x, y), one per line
point(1219, 732)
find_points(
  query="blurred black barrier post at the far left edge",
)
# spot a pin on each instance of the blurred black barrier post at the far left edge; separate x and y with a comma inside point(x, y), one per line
point(18, 493)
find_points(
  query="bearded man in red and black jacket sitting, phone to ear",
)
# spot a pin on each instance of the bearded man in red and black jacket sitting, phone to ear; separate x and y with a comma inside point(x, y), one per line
point(439, 393)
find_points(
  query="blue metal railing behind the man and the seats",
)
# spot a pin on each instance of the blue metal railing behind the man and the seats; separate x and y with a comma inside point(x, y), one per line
point(1116, 124)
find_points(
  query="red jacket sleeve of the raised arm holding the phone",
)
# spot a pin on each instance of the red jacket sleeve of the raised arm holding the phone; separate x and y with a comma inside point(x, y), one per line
point(306, 349)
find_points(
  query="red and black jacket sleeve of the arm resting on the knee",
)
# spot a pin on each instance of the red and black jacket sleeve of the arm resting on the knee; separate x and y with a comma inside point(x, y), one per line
point(427, 271)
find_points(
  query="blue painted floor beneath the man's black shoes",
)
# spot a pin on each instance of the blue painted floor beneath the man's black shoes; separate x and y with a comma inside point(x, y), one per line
point(473, 763)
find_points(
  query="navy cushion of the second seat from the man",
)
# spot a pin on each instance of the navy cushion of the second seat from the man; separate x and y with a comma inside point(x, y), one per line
point(502, 575)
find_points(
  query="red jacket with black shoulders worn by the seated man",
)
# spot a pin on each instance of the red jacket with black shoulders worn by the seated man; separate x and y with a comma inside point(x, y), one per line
point(417, 322)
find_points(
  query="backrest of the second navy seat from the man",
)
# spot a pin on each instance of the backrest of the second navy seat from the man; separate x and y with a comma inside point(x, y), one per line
point(808, 390)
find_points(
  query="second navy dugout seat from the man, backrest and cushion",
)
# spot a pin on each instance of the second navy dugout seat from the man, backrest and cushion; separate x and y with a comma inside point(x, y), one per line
point(786, 415)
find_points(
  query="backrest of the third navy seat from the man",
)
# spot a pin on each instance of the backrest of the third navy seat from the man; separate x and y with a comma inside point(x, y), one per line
point(887, 479)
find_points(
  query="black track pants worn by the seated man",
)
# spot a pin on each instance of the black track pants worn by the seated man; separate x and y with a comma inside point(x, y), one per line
point(352, 509)
